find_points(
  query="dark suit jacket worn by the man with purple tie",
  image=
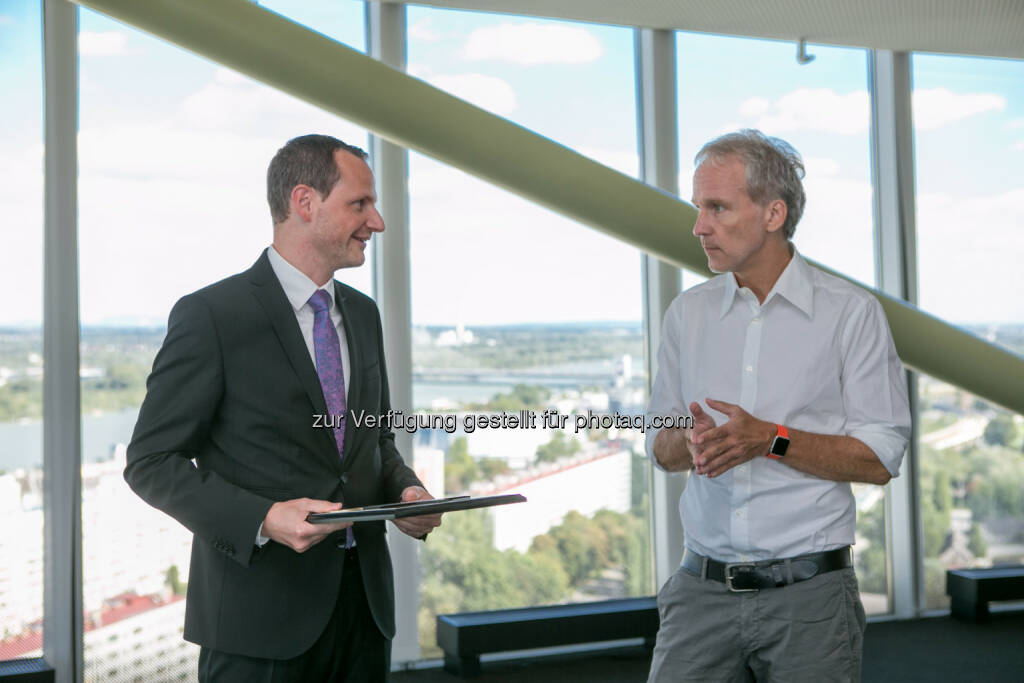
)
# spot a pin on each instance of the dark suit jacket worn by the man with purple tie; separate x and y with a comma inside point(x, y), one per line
point(227, 430)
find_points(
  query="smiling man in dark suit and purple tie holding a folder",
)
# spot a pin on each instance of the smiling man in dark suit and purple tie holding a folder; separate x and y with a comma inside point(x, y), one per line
point(226, 442)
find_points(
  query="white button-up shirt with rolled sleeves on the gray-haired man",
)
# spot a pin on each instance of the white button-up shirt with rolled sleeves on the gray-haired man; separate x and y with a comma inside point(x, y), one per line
point(817, 357)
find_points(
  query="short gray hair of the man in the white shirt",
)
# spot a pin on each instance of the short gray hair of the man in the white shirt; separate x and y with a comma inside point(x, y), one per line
point(775, 170)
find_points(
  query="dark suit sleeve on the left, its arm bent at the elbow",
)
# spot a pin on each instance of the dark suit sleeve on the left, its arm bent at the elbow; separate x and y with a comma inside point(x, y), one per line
point(184, 394)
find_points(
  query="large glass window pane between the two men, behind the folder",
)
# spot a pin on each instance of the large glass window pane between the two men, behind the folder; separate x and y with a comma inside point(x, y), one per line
point(518, 311)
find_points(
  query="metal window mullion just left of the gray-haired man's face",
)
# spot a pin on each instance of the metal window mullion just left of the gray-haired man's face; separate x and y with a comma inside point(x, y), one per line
point(655, 57)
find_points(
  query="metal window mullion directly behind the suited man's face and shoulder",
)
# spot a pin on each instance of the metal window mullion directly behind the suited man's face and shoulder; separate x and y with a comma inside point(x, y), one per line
point(387, 42)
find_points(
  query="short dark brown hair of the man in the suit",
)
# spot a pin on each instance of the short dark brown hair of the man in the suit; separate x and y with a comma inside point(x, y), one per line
point(308, 160)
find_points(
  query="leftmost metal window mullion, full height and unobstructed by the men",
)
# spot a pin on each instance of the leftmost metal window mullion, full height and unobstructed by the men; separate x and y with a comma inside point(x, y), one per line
point(62, 415)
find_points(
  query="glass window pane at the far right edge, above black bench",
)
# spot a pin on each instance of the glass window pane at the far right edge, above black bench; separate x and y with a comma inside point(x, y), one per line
point(969, 141)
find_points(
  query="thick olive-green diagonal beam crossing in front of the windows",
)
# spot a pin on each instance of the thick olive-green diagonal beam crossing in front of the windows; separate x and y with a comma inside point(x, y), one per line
point(288, 57)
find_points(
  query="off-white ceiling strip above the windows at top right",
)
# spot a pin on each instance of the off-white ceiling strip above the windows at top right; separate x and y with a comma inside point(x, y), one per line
point(992, 28)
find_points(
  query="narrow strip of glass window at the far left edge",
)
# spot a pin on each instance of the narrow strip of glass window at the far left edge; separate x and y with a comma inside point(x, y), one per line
point(21, 332)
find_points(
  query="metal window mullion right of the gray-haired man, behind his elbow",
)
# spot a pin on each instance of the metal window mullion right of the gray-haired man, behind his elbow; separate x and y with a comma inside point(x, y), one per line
point(895, 263)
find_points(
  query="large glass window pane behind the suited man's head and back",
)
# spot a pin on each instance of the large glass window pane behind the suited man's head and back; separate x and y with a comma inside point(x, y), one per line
point(174, 155)
